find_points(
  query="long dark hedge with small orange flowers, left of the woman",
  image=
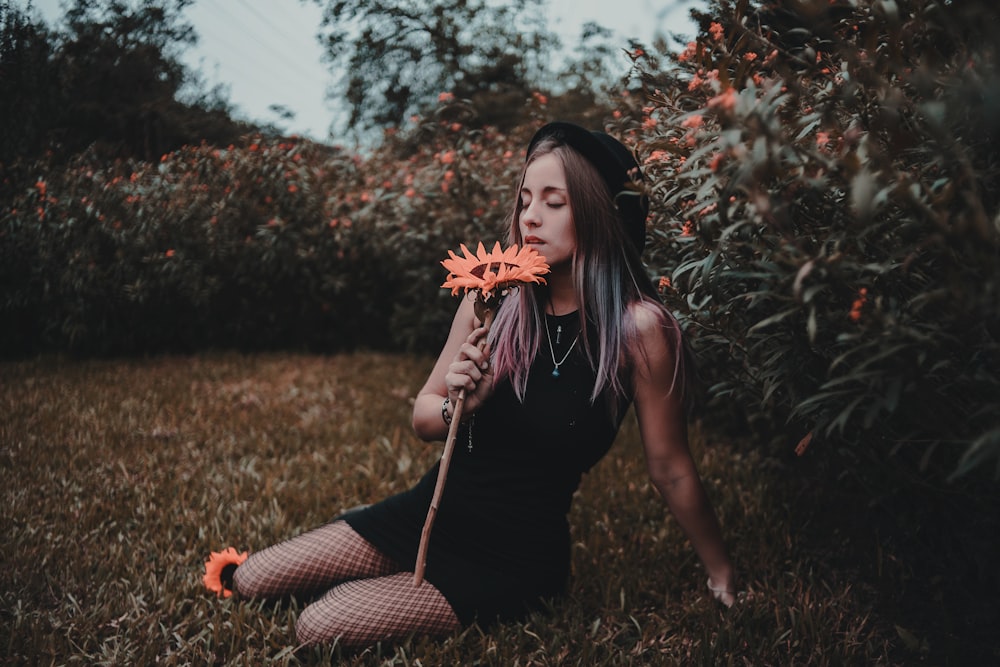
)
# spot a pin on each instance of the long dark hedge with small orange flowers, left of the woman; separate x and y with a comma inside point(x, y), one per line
point(263, 244)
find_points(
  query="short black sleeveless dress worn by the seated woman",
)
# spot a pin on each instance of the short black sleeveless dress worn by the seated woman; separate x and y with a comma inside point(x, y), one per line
point(500, 541)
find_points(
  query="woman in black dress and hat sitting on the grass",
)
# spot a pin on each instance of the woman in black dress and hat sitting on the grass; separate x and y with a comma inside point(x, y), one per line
point(545, 395)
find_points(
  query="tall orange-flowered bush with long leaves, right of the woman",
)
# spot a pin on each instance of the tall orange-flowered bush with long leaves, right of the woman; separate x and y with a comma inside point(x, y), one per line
point(827, 191)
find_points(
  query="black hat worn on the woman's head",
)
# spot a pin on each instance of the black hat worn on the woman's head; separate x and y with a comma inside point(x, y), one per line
point(616, 166)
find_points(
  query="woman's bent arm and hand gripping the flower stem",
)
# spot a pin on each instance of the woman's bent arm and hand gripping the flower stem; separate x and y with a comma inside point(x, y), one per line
point(461, 365)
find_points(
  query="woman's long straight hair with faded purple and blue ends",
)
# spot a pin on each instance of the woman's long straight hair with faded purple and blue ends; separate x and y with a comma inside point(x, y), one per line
point(608, 277)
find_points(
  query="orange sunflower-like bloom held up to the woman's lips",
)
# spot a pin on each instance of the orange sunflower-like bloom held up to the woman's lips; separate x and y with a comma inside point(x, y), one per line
point(492, 273)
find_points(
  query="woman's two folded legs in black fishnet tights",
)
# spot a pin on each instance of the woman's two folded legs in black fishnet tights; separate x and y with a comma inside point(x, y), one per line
point(367, 598)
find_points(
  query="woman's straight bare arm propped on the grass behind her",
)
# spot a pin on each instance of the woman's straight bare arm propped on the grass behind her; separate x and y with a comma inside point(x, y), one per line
point(663, 426)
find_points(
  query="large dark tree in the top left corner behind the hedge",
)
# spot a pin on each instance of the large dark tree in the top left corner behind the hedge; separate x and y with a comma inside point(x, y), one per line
point(110, 78)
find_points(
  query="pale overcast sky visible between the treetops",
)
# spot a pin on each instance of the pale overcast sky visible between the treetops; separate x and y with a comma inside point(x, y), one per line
point(265, 51)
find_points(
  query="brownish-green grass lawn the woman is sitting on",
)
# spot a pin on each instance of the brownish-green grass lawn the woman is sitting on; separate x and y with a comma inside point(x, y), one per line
point(119, 477)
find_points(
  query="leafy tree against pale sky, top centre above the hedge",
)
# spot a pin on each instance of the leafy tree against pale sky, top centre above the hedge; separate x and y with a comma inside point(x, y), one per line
point(398, 56)
